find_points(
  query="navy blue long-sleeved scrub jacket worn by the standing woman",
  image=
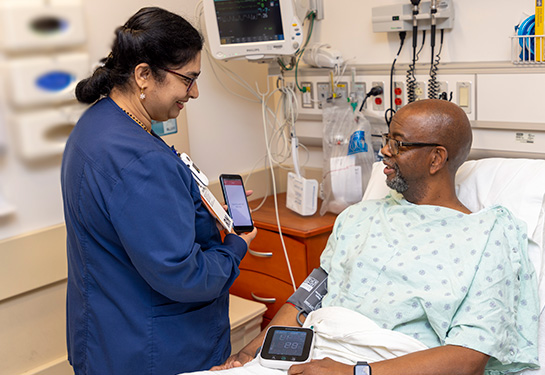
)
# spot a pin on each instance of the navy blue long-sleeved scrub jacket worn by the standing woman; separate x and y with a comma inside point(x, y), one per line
point(148, 274)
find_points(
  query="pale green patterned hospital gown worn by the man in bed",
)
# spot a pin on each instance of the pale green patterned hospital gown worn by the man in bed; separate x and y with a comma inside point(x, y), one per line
point(438, 275)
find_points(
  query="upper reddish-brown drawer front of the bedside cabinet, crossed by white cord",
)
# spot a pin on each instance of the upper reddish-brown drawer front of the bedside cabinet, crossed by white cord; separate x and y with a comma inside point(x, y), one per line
point(267, 256)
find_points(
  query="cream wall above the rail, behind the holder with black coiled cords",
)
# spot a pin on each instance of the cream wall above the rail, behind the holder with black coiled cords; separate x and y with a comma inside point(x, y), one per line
point(481, 31)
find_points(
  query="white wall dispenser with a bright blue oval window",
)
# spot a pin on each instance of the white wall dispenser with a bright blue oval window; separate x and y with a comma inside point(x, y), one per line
point(48, 79)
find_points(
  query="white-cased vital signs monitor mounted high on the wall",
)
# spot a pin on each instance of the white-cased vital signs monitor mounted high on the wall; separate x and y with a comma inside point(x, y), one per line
point(254, 29)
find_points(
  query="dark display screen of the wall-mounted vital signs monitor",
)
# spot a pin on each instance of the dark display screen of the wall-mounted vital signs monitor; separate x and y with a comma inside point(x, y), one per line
point(248, 21)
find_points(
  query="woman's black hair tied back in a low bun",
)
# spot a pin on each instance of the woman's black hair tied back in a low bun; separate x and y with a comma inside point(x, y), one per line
point(152, 35)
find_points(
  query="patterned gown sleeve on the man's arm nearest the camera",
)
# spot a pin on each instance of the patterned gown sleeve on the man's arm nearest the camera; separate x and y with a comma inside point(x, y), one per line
point(499, 315)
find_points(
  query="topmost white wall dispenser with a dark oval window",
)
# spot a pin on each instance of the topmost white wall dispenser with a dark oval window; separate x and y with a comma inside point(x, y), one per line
point(40, 24)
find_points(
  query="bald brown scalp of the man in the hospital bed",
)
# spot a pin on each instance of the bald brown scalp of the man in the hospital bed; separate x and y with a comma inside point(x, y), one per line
point(442, 122)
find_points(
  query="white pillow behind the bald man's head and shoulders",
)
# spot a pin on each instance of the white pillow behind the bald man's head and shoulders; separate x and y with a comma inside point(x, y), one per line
point(517, 184)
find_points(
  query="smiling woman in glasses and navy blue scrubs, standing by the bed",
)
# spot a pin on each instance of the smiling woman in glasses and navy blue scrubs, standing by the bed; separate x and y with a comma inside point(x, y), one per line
point(148, 272)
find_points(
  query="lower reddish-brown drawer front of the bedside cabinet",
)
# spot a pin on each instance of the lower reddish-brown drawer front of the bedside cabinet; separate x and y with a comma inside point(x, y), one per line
point(263, 288)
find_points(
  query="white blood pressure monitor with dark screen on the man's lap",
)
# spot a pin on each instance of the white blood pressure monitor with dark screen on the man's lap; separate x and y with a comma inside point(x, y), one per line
point(286, 346)
